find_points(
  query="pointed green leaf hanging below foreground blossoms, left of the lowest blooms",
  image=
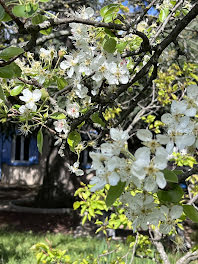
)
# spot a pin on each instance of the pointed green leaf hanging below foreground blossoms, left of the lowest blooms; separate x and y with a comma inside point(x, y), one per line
point(114, 193)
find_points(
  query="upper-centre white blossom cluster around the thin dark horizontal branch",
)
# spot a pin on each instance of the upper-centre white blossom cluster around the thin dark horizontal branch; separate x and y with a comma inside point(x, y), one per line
point(90, 60)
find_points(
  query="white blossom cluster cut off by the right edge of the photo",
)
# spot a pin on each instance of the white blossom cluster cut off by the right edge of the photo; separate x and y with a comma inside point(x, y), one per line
point(181, 123)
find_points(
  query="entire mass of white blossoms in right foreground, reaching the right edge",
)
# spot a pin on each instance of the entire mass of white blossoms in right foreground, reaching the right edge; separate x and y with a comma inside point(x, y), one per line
point(143, 171)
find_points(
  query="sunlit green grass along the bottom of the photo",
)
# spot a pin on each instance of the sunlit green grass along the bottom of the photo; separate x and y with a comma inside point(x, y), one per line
point(15, 247)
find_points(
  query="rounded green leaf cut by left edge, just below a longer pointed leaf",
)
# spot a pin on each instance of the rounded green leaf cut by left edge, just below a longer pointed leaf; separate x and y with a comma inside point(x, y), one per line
point(10, 71)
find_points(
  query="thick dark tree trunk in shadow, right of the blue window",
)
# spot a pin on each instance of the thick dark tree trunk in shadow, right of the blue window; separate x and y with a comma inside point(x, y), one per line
point(58, 185)
